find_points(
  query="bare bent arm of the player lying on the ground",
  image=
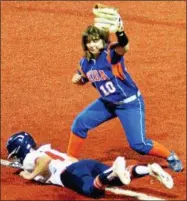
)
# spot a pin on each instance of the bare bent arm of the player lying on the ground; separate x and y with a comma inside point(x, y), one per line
point(40, 168)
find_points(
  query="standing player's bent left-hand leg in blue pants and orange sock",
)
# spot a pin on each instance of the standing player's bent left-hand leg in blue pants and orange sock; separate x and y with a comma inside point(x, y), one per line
point(92, 116)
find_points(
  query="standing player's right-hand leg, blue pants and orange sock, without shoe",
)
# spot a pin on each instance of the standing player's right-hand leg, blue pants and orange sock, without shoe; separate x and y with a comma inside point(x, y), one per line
point(132, 117)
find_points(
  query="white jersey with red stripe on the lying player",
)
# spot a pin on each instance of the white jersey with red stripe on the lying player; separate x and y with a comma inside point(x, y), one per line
point(57, 165)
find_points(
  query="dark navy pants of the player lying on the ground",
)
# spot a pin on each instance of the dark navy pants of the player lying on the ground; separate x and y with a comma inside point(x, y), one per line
point(80, 176)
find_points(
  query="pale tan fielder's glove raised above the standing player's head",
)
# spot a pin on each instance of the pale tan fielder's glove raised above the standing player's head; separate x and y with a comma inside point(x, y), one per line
point(107, 18)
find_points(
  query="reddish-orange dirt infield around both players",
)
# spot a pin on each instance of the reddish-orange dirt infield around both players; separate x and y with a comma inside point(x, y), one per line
point(41, 47)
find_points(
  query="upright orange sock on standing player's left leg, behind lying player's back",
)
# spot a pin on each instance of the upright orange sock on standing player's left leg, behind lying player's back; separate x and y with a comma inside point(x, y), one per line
point(74, 145)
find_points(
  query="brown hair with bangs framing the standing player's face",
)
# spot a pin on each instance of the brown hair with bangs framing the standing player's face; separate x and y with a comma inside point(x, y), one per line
point(94, 33)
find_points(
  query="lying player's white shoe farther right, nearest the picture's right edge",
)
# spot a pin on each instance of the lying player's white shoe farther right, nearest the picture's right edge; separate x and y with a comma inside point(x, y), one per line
point(156, 171)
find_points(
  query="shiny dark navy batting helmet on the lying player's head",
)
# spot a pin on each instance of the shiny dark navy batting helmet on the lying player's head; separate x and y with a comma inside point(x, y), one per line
point(19, 145)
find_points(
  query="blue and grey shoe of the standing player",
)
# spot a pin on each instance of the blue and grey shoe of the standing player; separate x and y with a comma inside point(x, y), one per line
point(174, 163)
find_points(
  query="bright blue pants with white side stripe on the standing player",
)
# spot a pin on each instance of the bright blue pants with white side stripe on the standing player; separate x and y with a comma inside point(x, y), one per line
point(131, 116)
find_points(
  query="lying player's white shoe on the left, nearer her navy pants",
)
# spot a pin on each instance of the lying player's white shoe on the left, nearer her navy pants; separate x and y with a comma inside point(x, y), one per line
point(119, 169)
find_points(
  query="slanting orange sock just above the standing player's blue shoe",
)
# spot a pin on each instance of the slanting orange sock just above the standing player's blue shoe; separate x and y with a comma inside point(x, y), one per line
point(159, 150)
